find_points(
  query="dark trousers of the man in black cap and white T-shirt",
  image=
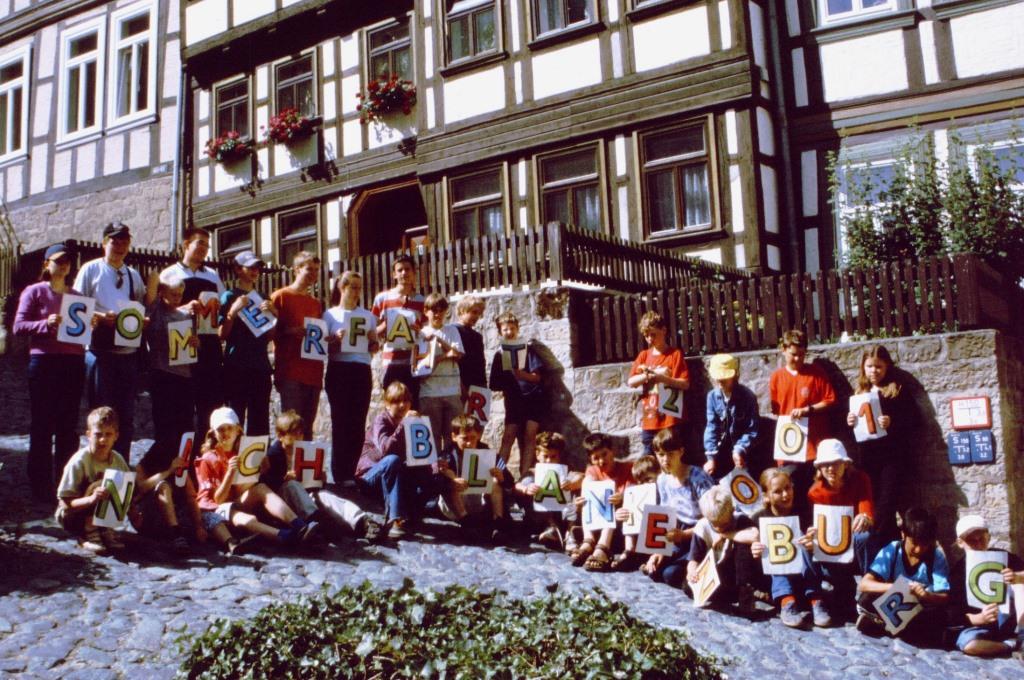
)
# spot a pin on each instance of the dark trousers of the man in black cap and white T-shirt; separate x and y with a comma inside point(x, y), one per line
point(112, 380)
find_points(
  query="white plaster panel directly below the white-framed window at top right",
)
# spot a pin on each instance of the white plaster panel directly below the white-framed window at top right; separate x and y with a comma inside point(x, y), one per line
point(863, 67)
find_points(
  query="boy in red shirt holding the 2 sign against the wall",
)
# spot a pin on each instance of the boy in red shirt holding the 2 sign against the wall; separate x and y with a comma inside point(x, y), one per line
point(660, 364)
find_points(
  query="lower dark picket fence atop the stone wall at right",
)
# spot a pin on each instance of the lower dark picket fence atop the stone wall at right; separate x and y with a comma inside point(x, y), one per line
point(931, 295)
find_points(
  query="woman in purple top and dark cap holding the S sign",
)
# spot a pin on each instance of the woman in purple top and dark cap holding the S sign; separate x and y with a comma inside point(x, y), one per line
point(57, 375)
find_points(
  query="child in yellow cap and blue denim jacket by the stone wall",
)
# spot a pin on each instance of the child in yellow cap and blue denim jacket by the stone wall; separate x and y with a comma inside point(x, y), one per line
point(733, 419)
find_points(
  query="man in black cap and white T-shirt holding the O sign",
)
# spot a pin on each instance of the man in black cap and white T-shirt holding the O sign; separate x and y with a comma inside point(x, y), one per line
point(112, 372)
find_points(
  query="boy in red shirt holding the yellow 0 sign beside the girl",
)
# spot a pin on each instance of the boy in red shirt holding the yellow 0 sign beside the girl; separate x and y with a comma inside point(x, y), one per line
point(802, 391)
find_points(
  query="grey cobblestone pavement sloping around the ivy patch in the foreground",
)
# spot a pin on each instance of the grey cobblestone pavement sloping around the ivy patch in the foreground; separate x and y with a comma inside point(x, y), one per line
point(66, 614)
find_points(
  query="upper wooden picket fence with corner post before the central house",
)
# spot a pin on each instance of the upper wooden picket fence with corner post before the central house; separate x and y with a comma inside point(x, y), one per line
point(552, 253)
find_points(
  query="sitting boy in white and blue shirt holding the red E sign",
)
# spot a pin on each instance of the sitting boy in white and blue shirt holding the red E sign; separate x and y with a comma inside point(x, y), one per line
point(680, 487)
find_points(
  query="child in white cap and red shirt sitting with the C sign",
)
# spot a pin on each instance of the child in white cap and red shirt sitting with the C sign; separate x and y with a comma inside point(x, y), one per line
point(225, 503)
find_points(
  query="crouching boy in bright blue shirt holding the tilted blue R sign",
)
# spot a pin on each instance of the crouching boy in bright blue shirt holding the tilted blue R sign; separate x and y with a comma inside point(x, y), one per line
point(918, 558)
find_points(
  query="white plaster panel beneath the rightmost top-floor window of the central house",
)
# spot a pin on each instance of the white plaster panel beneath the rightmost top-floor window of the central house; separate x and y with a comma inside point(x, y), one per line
point(671, 38)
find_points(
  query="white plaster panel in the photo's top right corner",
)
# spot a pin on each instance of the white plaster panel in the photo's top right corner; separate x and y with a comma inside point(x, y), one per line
point(989, 41)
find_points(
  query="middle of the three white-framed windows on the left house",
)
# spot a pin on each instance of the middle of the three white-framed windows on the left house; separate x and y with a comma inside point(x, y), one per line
point(82, 84)
